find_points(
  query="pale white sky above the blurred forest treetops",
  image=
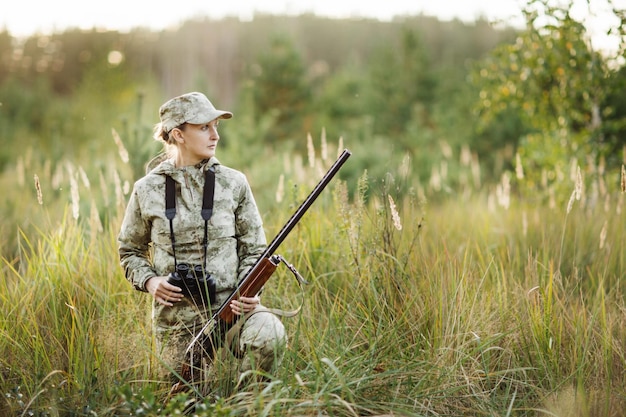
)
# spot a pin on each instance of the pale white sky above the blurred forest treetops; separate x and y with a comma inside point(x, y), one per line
point(24, 17)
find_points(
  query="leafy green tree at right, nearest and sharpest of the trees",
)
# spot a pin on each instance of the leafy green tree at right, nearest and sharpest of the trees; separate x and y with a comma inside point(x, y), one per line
point(557, 85)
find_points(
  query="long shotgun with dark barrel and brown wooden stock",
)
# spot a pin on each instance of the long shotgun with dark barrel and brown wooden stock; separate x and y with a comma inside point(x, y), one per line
point(262, 270)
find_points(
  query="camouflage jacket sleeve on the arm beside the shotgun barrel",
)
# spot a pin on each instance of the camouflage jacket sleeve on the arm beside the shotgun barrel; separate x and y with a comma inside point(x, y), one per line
point(251, 241)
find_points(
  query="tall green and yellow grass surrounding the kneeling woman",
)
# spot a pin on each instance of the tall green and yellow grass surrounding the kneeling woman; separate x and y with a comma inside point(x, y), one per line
point(470, 304)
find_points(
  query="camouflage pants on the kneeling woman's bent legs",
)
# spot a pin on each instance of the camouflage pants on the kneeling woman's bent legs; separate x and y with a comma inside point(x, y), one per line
point(257, 342)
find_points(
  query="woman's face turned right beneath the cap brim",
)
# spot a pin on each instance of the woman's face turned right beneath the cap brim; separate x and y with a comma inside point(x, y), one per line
point(196, 142)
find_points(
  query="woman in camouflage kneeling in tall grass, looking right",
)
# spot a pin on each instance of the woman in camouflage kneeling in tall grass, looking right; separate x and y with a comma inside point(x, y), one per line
point(221, 237)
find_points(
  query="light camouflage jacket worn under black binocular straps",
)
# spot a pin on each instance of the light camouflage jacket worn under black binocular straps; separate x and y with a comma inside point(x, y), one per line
point(235, 231)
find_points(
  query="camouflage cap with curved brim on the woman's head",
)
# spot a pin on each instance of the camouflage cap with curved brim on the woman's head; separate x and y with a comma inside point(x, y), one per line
point(192, 108)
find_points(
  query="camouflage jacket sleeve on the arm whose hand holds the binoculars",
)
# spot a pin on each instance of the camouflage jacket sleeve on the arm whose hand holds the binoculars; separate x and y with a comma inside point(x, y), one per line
point(134, 244)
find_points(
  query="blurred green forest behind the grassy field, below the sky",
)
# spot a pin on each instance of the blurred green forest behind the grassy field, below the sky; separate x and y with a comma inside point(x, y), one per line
point(414, 87)
